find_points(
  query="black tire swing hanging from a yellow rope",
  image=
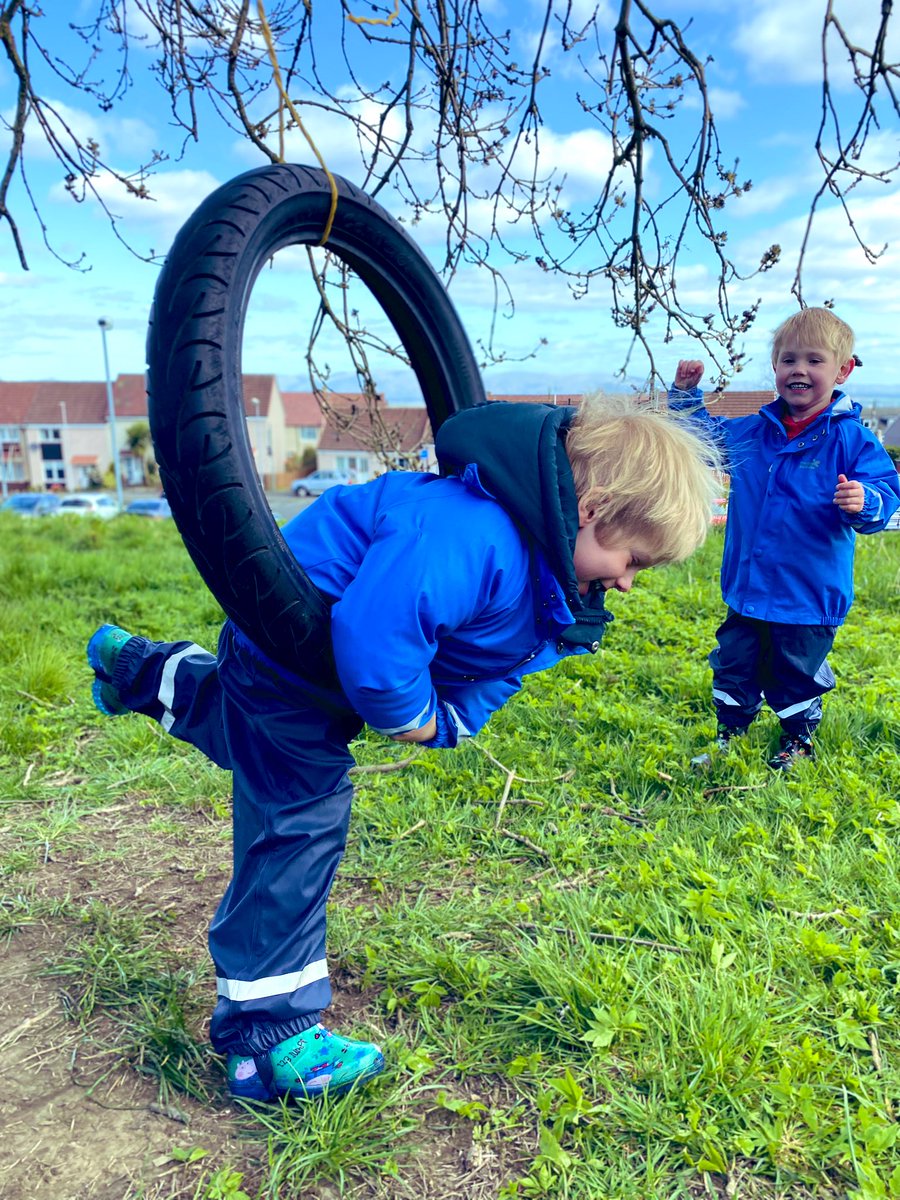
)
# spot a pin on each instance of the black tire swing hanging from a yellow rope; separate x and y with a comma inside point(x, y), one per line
point(196, 401)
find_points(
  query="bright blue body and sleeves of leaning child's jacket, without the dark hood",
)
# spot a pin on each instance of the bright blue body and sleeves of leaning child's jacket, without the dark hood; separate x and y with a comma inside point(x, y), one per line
point(434, 598)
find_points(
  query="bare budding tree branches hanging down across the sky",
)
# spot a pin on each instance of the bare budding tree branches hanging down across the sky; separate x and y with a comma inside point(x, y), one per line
point(454, 133)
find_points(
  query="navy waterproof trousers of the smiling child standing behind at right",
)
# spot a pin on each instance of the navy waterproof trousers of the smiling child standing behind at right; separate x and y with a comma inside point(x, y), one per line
point(788, 665)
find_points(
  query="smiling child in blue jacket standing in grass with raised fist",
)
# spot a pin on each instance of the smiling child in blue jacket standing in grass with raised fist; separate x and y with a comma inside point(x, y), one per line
point(807, 477)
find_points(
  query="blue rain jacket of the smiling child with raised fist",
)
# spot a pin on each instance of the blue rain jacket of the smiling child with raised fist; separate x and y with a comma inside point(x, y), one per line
point(789, 549)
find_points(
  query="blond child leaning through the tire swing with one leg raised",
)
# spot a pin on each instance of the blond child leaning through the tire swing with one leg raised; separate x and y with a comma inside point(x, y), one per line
point(445, 593)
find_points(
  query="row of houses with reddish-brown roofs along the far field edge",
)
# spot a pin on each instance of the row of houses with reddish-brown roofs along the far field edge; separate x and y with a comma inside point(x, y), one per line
point(68, 436)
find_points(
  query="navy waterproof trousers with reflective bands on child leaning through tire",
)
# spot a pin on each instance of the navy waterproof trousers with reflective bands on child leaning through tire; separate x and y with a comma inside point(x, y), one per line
point(287, 748)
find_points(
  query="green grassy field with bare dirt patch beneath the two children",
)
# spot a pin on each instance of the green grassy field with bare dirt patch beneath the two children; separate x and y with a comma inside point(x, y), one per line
point(596, 974)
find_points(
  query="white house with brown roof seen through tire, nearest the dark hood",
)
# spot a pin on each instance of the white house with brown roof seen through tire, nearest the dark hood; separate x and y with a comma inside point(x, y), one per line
point(368, 441)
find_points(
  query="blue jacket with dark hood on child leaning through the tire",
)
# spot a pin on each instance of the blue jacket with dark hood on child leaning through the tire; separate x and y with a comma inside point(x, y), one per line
point(452, 590)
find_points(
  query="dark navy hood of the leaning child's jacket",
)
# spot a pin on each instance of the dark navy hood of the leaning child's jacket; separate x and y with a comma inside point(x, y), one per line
point(519, 453)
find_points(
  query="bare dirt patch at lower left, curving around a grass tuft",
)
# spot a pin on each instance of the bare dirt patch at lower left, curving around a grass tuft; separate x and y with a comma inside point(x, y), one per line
point(79, 1123)
